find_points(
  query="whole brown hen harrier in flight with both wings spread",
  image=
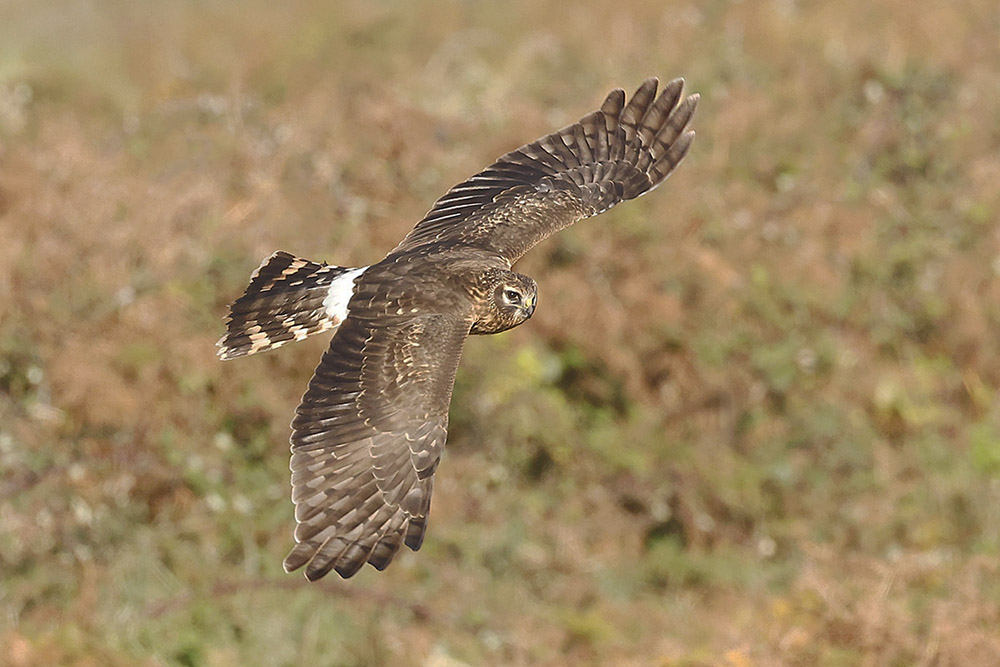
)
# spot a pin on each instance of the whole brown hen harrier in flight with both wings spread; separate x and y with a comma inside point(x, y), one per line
point(370, 430)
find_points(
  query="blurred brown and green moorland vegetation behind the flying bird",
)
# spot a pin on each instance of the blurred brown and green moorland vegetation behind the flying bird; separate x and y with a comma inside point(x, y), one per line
point(755, 419)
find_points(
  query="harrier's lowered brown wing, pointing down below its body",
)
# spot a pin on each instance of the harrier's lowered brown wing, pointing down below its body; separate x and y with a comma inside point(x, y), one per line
point(367, 438)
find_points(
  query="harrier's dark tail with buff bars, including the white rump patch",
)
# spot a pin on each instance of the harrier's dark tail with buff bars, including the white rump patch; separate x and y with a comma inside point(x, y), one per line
point(288, 299)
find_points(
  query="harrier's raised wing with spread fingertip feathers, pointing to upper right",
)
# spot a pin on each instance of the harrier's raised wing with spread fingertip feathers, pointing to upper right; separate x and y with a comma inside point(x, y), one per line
point(611, 155)
